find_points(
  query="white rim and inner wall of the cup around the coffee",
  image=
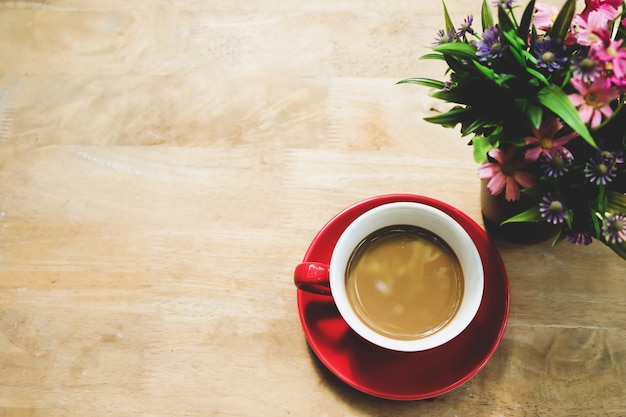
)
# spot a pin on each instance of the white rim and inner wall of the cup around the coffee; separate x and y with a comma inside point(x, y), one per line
point(429, 218)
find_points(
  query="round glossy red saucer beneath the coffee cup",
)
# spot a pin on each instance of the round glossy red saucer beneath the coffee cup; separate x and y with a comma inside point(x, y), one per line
point(401, 375)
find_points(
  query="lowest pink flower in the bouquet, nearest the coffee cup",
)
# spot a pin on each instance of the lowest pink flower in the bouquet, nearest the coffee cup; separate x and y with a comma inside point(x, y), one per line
point(506, 173)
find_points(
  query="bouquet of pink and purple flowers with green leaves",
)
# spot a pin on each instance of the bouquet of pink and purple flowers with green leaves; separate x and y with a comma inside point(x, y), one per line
point(542, 96)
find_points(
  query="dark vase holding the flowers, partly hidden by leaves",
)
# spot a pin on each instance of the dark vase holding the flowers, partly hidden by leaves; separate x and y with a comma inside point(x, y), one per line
point(495, 209)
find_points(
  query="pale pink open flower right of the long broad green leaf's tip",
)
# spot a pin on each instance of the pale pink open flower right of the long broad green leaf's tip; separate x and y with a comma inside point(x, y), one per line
point(592, 100)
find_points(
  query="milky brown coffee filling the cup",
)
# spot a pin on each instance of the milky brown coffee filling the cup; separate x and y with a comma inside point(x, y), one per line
point(404, 282)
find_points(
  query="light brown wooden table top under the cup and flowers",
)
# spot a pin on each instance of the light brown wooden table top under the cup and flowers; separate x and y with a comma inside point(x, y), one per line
point(164, 166)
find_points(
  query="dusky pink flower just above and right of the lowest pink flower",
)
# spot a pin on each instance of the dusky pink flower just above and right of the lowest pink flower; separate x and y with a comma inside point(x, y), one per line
point(545, 141)
